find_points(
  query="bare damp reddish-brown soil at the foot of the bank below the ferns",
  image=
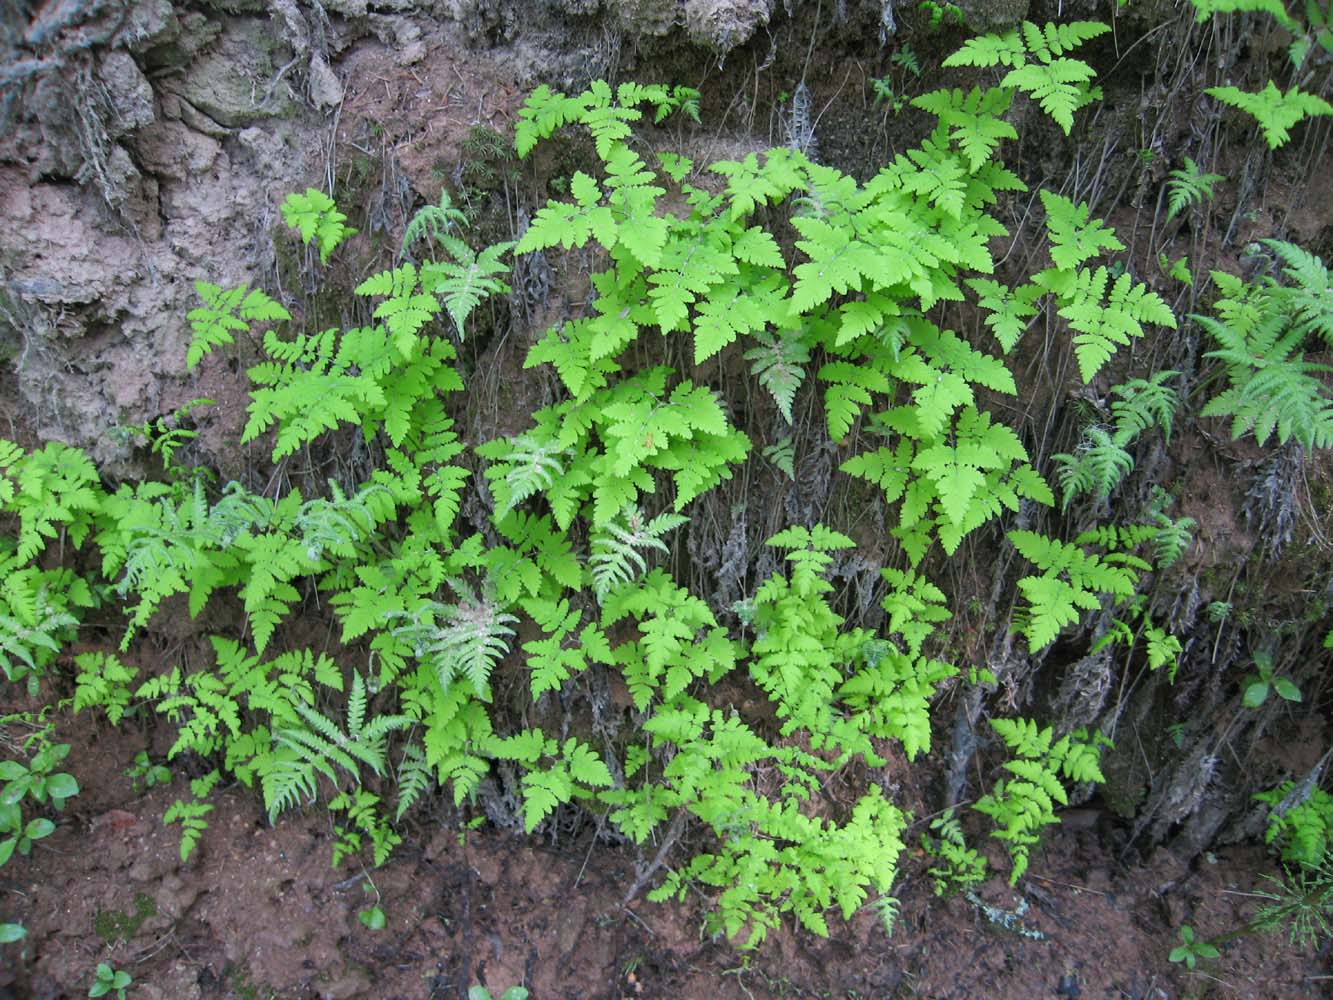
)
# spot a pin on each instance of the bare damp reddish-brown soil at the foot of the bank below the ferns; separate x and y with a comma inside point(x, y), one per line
point(259, 913)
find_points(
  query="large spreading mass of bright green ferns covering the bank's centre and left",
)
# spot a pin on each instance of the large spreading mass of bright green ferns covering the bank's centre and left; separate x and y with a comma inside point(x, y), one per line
point(826, 290)
